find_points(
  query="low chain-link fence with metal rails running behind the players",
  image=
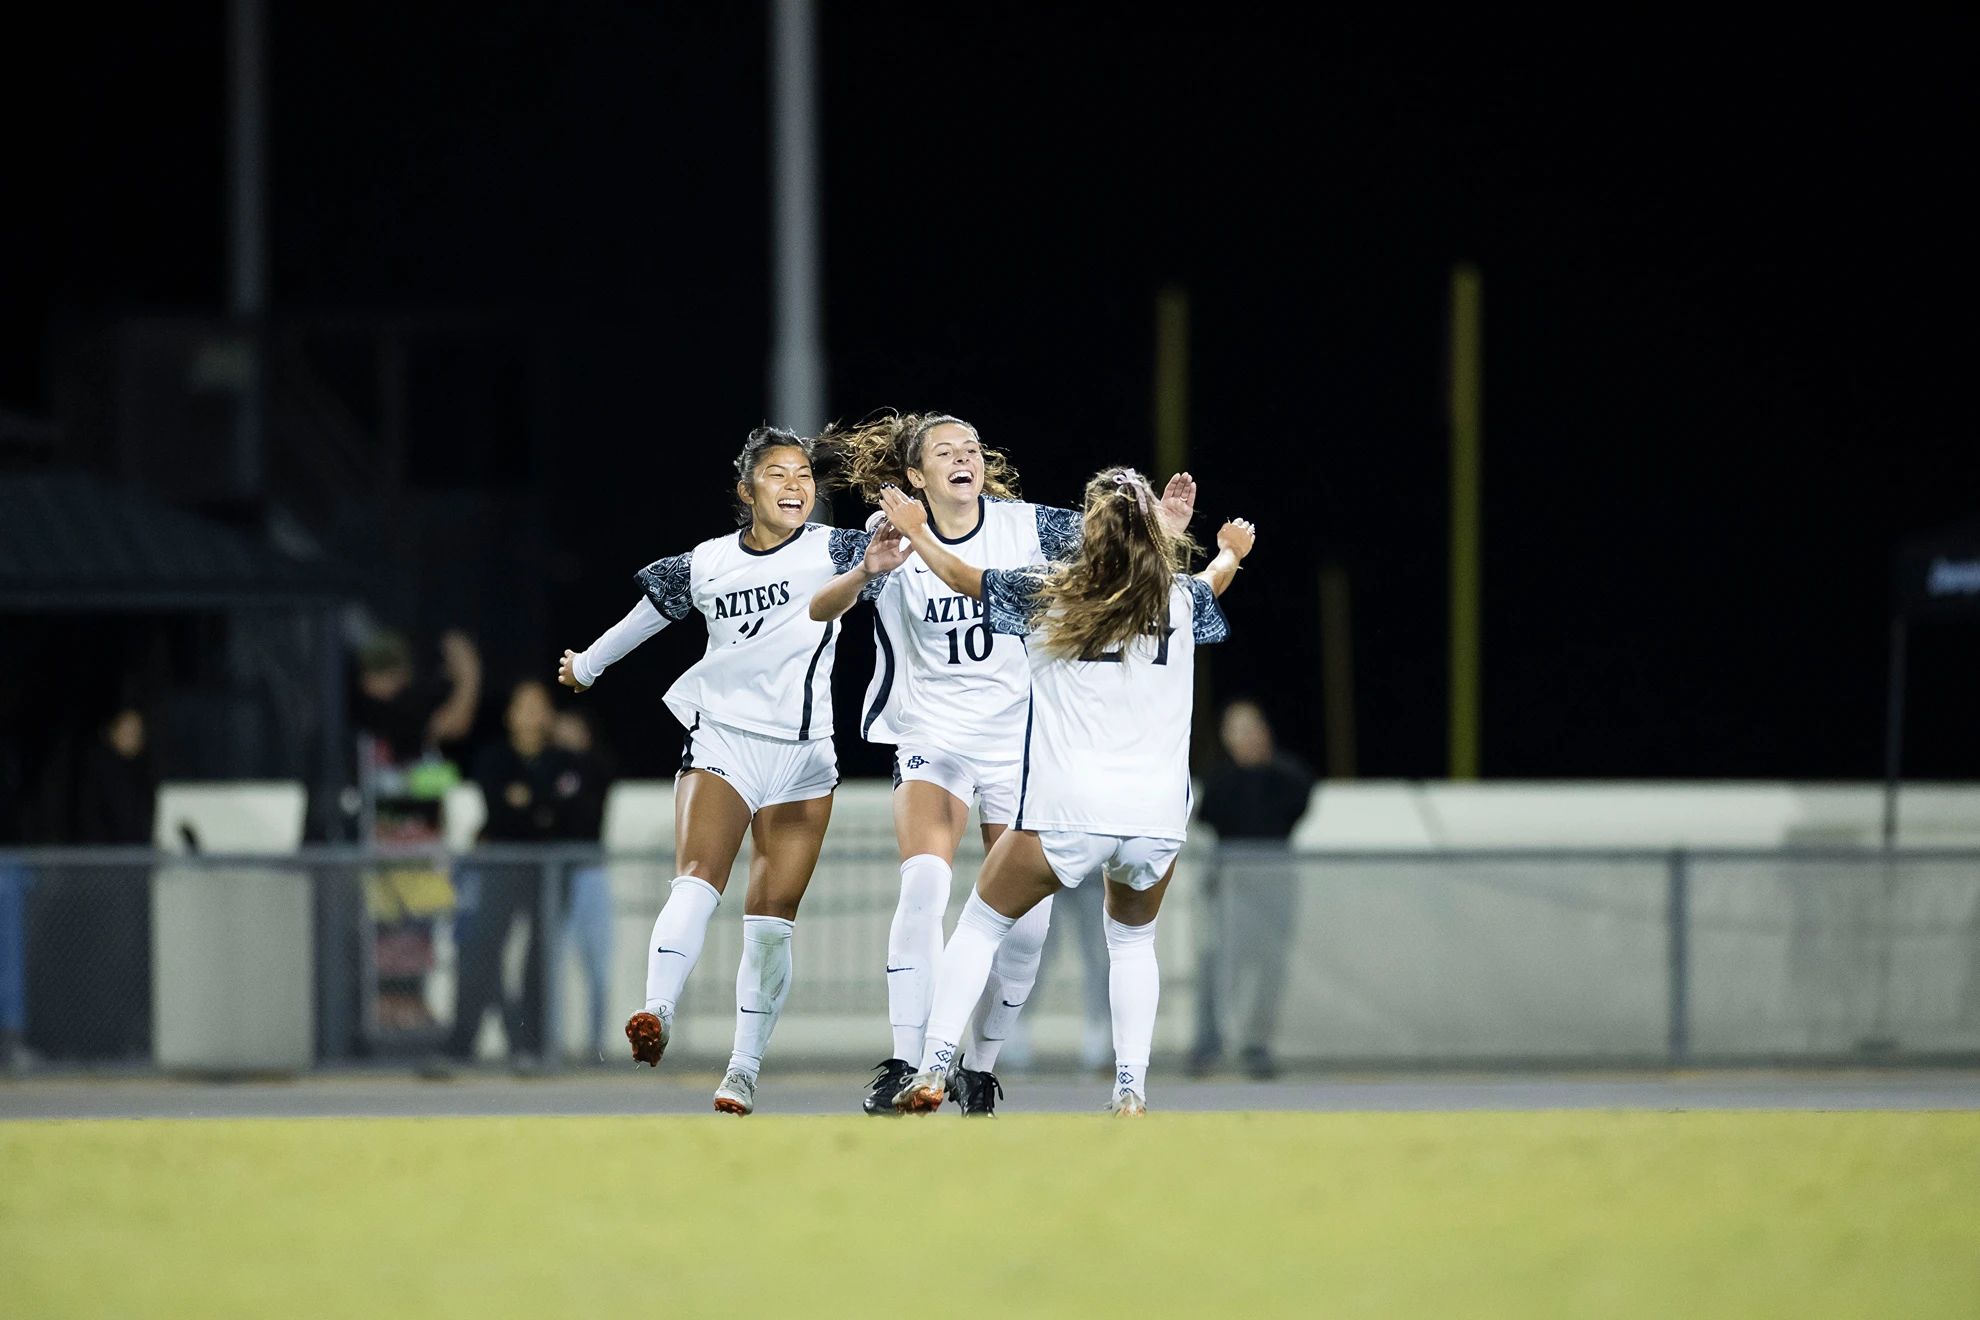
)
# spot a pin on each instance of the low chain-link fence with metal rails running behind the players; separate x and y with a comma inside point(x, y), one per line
point(128, 957)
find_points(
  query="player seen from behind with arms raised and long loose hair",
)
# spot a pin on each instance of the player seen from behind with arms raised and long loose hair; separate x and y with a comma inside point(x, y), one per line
point(1106, 787)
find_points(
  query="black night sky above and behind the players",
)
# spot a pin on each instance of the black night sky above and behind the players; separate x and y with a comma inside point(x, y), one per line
point(1728, 290)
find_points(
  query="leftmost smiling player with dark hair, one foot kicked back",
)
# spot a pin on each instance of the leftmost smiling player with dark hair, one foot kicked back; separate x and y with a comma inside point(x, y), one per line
point(757, 757)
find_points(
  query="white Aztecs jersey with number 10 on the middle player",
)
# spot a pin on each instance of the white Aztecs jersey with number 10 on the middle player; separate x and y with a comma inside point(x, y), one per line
point(941, 678)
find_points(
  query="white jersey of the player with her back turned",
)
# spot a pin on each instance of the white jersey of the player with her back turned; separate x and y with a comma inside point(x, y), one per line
point(1108, 743)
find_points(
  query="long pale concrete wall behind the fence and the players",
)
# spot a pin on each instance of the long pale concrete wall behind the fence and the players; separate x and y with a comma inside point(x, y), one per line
point(1425, 959)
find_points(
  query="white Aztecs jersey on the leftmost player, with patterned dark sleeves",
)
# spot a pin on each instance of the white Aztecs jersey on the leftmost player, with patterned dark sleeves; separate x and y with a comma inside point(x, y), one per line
point(769, 666)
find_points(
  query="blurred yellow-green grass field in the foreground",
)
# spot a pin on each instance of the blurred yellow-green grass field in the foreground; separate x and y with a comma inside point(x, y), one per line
point(1569, 1214)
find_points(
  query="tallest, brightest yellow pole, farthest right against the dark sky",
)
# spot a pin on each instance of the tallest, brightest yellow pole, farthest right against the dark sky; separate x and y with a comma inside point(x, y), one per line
point(1468, 351)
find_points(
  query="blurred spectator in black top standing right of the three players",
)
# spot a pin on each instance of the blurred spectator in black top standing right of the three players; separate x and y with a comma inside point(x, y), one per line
point(1252, 899)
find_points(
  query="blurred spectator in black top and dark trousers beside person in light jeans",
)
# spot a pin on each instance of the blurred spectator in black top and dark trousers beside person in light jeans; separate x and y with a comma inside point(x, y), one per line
point(530, 787)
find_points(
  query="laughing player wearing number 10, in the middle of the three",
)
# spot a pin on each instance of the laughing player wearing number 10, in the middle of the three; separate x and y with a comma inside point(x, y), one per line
point(951, 700)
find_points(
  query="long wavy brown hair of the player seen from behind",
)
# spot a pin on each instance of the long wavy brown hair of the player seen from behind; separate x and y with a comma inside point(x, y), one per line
point(1118, 589)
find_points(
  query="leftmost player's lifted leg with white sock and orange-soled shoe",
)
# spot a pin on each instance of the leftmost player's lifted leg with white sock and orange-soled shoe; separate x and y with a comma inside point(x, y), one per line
point(710, 820)
